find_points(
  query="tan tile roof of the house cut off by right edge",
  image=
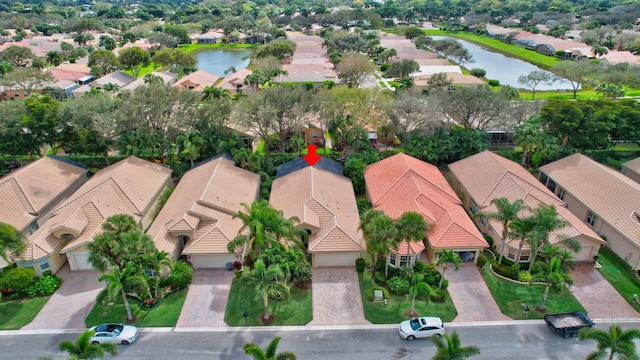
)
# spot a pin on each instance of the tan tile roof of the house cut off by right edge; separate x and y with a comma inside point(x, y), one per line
point(613, 197)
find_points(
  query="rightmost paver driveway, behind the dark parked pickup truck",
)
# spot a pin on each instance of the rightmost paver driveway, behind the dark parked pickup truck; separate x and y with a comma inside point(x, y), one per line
point(597, 296)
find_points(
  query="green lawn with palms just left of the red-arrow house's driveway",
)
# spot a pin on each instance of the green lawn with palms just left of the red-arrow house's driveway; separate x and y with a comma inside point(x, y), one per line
point(243, 297)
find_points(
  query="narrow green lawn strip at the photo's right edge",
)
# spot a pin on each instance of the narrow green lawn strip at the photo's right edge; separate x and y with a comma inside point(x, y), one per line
point(619, 275)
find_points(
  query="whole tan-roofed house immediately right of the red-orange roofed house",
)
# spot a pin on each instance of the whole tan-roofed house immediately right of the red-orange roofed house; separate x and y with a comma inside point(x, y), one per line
point(483, 177)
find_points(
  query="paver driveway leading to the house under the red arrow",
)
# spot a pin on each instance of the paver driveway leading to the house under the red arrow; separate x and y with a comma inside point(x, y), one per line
point(336, 297)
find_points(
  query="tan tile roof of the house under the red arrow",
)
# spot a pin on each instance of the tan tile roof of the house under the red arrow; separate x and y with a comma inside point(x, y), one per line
point(323, 201)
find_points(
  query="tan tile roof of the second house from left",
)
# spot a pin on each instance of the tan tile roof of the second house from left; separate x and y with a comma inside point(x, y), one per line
point(128, 187)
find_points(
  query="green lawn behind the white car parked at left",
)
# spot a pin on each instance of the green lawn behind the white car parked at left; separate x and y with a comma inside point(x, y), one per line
point(164, 315)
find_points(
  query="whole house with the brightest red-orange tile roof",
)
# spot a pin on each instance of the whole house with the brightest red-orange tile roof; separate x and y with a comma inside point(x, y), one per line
point(402, 183)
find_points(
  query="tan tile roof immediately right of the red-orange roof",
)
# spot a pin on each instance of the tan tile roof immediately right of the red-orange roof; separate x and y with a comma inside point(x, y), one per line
point(487, 176)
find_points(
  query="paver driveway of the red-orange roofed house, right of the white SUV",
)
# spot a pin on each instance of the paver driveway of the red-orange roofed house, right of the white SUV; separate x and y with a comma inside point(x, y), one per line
point(470, 295)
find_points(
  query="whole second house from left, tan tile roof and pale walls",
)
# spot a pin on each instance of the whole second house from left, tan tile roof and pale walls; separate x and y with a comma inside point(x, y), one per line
point(132, 186)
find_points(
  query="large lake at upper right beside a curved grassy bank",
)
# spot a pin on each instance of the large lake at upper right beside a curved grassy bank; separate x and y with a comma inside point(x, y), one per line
point(503, 68)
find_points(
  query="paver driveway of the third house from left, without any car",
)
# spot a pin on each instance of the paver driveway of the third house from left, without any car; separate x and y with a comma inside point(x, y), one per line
point(206, 300)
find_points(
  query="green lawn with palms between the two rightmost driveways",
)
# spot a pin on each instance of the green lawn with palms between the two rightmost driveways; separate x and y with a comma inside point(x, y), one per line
point(509, 296)
